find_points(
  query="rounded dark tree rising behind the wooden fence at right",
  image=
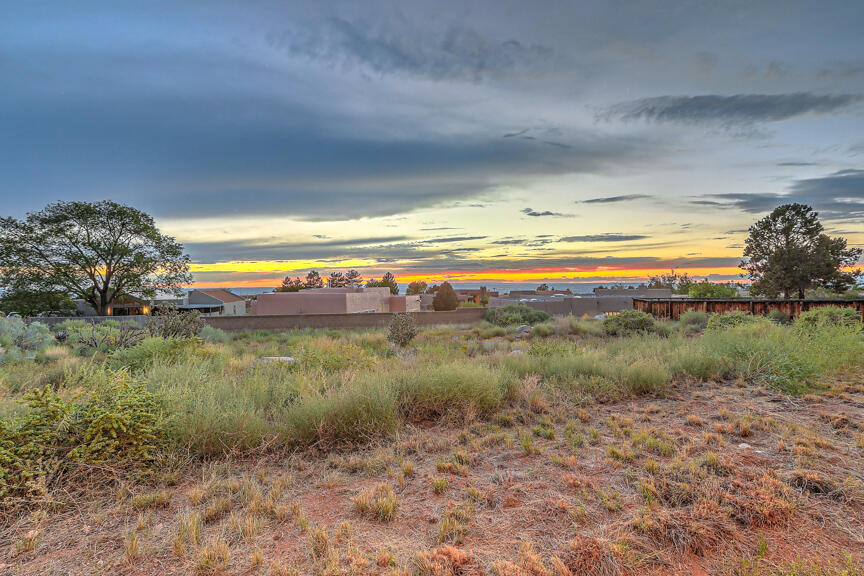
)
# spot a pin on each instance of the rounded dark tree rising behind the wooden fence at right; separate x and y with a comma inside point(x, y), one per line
point(788, 252)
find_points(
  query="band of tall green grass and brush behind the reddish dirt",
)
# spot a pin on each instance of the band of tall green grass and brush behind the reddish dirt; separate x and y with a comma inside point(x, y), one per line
point(350, 387)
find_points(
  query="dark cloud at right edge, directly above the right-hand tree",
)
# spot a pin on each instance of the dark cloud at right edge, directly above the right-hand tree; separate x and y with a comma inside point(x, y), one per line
point(837, 196)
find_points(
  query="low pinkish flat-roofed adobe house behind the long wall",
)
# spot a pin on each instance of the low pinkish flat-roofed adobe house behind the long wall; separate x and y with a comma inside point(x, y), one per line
point(348, 300)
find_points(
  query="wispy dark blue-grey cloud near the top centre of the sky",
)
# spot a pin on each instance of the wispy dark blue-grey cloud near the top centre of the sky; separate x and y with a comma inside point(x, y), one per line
point(456, 53)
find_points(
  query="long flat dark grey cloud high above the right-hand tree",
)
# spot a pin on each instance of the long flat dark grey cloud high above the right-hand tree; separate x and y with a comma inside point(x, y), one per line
point(736, 110)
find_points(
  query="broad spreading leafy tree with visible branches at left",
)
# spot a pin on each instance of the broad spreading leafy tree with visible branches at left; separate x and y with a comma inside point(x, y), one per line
point(99, 252)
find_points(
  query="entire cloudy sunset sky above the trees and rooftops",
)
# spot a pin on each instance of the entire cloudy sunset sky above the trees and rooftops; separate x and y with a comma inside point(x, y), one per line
point(470, 141)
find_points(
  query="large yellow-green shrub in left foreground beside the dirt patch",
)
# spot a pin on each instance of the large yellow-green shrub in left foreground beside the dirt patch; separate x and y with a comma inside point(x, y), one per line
point(118, 423)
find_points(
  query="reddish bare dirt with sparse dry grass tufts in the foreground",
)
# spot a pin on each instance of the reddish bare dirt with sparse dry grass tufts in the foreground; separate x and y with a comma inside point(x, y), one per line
point(711, 479)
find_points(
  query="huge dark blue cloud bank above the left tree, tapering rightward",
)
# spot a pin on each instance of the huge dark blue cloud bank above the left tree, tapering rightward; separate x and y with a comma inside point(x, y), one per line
point(240, 154)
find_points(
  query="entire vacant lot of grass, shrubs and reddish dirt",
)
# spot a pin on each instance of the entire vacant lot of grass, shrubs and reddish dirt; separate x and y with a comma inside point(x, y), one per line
point(736, 449)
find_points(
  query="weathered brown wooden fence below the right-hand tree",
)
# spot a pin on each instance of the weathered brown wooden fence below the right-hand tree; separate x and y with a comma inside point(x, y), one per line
point(672, 308)
